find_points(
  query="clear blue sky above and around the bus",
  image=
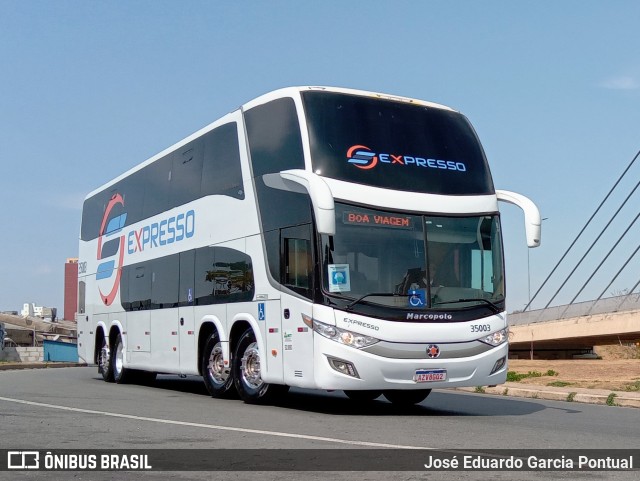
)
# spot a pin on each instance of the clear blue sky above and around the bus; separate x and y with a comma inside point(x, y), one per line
point(91, 88)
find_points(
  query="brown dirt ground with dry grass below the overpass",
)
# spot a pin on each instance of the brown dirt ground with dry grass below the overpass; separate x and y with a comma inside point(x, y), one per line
point(618, 370)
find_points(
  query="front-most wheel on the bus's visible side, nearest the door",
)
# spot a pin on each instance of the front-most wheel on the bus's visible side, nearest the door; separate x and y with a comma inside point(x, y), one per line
point(246, 365)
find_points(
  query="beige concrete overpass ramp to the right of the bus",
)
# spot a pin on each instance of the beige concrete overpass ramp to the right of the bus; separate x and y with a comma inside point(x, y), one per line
point(566, 331)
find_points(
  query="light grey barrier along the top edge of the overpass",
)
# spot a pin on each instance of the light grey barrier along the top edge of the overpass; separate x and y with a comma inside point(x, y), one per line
point(627, 302)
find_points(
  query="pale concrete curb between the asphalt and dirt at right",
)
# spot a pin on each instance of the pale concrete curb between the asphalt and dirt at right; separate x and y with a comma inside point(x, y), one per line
point(579, 395)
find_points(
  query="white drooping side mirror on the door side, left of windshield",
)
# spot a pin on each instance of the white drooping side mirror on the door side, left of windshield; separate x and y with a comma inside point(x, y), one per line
point(301, 181)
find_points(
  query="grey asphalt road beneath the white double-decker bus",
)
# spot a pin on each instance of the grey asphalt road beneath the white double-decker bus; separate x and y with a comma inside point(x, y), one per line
point(72, 408)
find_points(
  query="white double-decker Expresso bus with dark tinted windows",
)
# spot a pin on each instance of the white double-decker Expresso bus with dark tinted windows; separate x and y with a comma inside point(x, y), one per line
point(316, 237)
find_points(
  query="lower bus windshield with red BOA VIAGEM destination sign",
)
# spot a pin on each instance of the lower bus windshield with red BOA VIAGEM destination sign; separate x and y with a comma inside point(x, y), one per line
point(414, 262)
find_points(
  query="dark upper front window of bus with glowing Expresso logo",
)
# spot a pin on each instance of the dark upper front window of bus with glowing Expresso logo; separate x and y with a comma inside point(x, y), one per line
point(395, 145)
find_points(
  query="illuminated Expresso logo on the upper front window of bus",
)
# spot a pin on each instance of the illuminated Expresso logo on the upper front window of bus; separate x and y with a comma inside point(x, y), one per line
point(364, 158)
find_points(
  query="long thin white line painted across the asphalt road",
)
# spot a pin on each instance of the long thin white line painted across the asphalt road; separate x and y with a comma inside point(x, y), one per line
point(213, 426)
